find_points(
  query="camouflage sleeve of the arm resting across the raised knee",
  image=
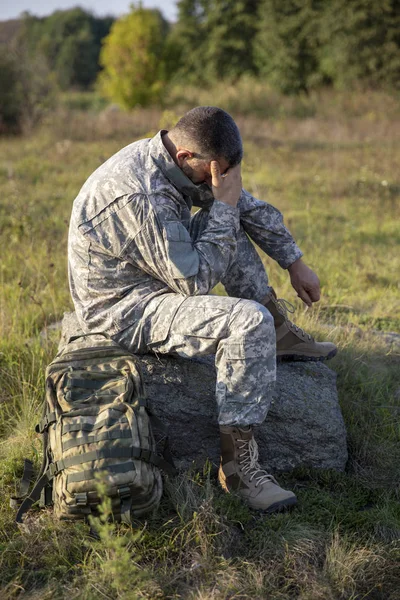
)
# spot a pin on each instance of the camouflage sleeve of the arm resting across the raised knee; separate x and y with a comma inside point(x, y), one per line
point(264, 224)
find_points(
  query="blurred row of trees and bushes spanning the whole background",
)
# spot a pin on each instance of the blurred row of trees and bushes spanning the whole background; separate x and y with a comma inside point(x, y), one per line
point(293, 46)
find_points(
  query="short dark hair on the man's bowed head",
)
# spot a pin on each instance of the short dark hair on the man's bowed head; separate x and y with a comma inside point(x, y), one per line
point(214, 132)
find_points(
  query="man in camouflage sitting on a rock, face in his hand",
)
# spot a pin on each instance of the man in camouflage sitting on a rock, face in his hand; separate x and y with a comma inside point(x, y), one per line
point(142, 269)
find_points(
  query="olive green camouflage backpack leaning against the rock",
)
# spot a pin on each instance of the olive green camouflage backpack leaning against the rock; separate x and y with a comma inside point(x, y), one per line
point(96, 425)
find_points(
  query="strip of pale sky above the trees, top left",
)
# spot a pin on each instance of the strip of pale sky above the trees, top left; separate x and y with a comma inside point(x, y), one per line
point(10, 9)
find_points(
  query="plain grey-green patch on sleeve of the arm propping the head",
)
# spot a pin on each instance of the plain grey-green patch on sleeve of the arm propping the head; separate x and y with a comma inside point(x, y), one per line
point(183, 260)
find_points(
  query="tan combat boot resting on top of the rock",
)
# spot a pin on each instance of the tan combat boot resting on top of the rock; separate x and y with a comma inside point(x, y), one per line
point(292, 343)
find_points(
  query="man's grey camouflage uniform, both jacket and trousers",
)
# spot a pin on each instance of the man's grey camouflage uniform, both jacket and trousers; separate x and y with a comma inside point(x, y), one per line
point(141, 269)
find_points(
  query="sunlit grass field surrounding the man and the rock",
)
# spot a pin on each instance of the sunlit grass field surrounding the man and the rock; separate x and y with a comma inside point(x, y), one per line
point(331, 165)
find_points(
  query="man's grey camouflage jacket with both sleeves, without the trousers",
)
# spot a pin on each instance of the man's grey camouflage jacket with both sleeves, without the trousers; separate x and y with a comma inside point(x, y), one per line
point(129, 239)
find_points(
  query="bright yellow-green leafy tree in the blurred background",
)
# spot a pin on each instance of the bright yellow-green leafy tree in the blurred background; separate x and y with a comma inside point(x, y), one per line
point(132, 58)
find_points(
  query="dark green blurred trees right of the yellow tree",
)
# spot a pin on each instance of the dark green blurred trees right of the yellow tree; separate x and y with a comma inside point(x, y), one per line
point(295, 45)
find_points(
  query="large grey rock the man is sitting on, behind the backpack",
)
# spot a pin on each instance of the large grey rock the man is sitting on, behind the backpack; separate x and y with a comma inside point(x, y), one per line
point(304, 426)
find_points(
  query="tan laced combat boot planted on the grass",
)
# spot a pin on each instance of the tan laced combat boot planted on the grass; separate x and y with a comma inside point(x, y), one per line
point(240, 472)
